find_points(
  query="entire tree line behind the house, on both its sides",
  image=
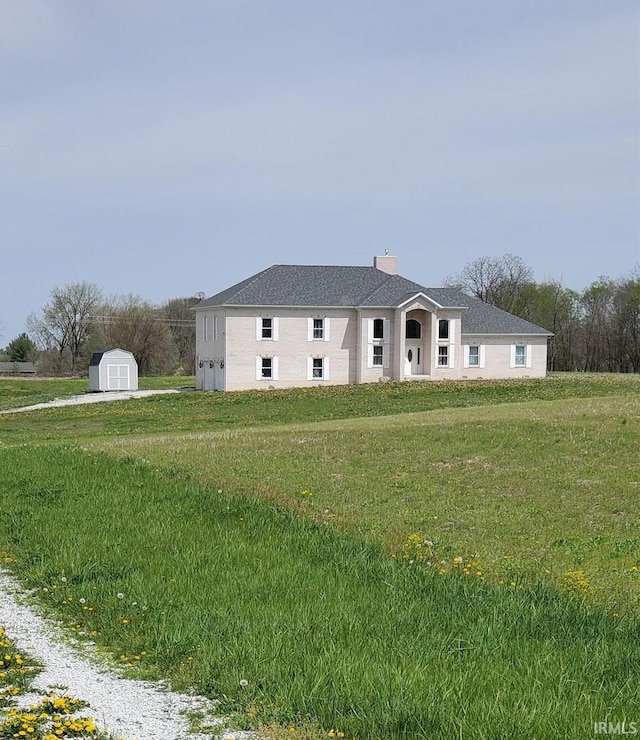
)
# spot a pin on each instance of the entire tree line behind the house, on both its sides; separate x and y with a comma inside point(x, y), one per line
point(595, 330)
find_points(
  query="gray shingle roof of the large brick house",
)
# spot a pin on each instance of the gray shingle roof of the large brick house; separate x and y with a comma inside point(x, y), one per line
point(336, 286)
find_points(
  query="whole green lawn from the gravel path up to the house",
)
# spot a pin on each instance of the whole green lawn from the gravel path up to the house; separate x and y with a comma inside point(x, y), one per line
point(392, 561)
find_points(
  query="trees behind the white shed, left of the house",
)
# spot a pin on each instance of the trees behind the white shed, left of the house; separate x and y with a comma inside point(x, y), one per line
point(79, 320)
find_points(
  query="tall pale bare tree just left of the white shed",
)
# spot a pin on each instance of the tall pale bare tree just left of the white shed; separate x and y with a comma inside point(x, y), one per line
point(64, 328)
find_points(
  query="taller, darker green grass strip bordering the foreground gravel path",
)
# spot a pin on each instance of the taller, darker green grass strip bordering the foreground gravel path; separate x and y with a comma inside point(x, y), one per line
point(284, 620)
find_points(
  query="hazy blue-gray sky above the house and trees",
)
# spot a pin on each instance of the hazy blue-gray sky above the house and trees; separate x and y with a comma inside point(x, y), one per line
point(163, 148)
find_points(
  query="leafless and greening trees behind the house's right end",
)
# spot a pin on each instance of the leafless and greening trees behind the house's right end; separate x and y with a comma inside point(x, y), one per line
point(594, 330)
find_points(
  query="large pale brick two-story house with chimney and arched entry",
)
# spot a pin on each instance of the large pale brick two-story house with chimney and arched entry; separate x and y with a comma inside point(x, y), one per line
point(307, 325)
